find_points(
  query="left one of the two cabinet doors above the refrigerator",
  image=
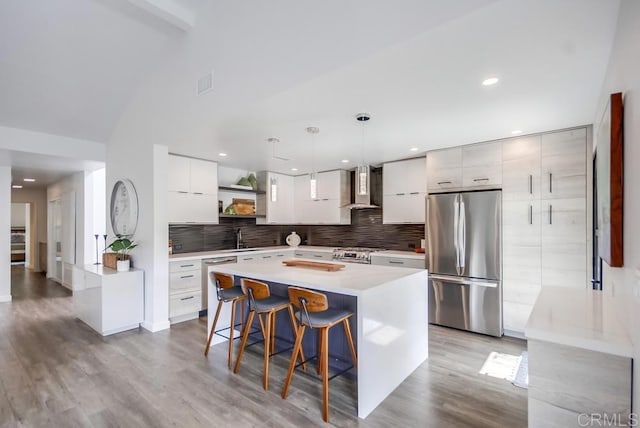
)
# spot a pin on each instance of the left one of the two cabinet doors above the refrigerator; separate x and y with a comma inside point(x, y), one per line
point(444, 169)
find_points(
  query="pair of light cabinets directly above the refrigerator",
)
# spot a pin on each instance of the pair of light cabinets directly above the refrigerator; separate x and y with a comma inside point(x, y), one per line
point(467, 167)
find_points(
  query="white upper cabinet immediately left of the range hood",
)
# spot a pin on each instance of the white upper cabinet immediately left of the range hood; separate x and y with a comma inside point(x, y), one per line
point(331, 197)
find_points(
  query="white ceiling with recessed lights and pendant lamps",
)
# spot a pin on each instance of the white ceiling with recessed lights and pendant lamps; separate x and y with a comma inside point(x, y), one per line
point(73, 67)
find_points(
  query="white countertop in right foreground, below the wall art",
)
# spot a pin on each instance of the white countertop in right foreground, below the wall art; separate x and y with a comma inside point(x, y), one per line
point(580, 318)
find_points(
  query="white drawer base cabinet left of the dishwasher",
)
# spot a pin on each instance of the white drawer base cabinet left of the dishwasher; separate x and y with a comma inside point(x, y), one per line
point(185, 289)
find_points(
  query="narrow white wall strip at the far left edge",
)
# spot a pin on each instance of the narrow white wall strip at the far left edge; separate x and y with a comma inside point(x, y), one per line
point(5, 234)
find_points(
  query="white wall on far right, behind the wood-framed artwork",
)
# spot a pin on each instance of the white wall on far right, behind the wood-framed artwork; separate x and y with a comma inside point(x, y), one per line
point(623, 76)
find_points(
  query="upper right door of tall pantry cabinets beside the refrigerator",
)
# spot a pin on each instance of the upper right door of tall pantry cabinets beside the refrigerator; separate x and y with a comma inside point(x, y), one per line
point(564, 164)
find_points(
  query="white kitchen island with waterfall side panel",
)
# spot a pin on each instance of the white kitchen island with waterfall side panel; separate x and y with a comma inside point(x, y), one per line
point(391, 316)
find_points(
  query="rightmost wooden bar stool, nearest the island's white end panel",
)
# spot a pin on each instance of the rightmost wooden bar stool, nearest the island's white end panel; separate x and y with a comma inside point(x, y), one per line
point(312, 310)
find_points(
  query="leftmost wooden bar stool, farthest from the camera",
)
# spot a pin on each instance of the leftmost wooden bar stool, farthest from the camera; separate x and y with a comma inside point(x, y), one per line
point(226, 292)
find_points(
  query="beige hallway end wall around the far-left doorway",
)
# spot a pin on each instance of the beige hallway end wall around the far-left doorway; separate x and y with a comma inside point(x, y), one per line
point(37, 200)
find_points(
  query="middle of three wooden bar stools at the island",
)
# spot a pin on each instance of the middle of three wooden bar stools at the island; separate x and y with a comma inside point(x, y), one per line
point(261, 302)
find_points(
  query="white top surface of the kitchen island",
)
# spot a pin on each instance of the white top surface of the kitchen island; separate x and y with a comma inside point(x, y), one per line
point(353, 279)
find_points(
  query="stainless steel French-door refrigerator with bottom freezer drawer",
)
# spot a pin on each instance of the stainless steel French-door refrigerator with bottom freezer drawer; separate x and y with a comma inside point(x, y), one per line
point(464, 232)
